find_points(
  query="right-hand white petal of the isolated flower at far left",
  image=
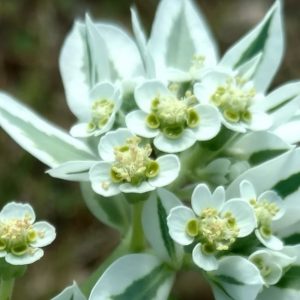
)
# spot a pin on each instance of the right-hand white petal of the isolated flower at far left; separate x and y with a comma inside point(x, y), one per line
point(47, 235)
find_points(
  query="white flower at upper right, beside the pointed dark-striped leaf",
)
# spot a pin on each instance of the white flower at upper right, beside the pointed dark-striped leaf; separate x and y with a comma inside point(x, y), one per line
point(236, 99)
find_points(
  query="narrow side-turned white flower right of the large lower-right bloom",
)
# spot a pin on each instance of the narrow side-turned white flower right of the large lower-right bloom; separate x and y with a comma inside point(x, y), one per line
point(268, 207)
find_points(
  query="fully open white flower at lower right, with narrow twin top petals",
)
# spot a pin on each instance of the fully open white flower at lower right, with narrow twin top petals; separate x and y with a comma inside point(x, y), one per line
point(213, 223)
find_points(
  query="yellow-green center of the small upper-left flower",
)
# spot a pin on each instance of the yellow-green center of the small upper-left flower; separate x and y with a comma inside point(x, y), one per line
point(101, 112)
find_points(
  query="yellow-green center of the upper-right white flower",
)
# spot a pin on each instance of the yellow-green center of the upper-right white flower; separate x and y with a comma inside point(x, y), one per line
point(234, 99)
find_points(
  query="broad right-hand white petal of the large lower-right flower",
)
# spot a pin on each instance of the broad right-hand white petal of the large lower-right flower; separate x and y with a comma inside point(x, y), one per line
point(244, 215)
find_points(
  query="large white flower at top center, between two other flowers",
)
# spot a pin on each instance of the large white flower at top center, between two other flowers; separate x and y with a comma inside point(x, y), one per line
point(175, 123)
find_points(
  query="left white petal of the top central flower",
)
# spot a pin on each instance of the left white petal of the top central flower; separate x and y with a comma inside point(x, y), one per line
point(136, 122)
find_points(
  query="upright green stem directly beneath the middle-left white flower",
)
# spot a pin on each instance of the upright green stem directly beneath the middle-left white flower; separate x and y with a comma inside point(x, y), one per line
point(137, 242)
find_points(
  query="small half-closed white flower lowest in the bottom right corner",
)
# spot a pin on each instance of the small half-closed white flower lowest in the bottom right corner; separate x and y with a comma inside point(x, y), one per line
point(271, 264)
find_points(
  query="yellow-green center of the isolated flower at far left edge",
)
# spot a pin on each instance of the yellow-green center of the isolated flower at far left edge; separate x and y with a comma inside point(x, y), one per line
point(16, 235)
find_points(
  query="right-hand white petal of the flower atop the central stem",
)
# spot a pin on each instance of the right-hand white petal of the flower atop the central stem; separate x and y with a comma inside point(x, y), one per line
point(169, 167)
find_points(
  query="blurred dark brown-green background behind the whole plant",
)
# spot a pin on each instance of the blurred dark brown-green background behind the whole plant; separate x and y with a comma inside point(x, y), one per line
point(31, 34)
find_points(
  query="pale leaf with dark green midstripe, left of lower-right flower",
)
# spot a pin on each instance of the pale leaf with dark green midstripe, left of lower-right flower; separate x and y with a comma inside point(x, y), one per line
point(154, 220)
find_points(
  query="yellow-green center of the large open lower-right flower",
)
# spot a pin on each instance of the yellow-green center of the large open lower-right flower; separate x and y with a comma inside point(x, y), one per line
point(216, 232)
